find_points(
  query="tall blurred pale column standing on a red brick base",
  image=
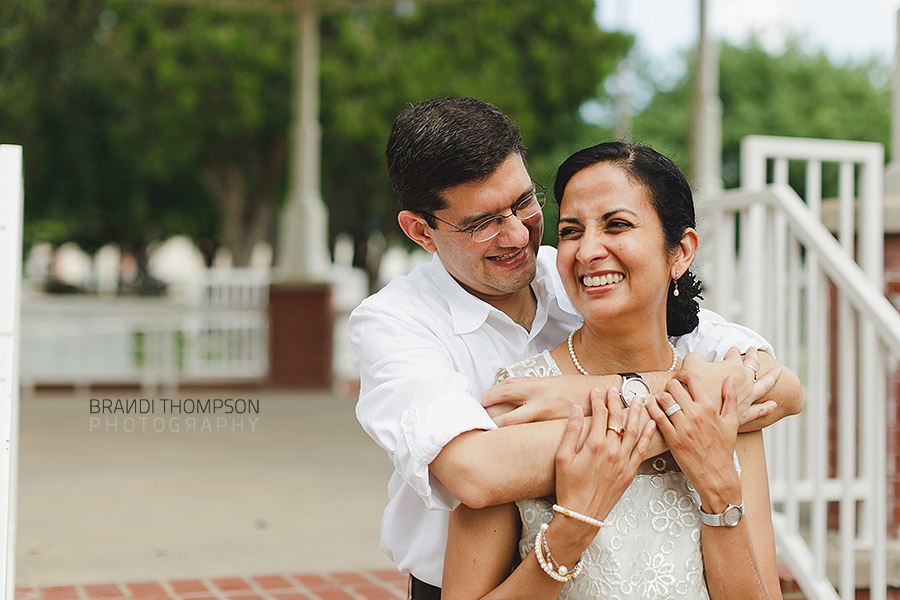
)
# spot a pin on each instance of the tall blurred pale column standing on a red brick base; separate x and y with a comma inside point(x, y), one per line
point(302, 242)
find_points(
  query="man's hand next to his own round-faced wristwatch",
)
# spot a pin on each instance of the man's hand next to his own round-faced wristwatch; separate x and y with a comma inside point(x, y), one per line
point(530, 399)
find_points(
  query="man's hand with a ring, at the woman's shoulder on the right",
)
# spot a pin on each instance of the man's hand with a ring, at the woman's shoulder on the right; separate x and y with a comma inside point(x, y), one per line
point(751, 381)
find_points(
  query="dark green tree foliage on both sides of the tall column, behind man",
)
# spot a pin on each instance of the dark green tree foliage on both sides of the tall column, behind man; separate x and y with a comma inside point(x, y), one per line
point(141, 120)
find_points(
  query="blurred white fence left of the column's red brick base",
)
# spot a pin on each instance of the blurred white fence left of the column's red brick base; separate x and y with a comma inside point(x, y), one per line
point(220, 332)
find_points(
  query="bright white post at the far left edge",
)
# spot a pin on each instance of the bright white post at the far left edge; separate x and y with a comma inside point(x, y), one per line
point(11, 195)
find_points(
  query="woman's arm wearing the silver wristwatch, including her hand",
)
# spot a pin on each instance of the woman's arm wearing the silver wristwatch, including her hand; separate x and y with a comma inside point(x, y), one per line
point(739, 561)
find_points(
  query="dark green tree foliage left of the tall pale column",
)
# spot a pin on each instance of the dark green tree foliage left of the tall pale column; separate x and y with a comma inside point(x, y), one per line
point(142, 121)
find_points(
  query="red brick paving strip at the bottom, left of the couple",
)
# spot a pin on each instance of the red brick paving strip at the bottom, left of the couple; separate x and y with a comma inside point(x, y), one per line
point(361, 585)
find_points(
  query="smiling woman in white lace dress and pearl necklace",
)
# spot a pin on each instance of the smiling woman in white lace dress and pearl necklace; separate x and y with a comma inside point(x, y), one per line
point(622, 527)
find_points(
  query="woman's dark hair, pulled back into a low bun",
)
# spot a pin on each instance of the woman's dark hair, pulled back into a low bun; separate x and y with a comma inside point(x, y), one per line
point(670, 196)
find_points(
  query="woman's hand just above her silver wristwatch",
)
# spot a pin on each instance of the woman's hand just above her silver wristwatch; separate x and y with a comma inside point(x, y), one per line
point(701, 431)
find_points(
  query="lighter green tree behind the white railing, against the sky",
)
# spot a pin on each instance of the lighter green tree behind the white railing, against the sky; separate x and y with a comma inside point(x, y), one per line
point(794, 93)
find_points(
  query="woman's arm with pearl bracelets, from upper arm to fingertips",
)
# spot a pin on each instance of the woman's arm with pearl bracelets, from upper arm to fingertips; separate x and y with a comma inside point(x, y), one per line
point(590, 478)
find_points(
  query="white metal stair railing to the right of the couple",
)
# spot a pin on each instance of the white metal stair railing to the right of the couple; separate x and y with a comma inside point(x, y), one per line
point(820, 301)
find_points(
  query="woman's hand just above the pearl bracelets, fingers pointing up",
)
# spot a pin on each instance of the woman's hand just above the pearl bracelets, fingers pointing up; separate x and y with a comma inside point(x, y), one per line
point(591, 477)
